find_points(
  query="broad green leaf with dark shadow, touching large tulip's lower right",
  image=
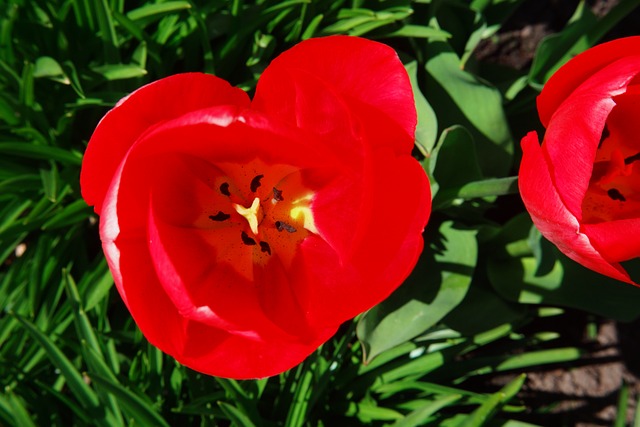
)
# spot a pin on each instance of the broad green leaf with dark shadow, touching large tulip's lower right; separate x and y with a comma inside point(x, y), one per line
point(437, 285)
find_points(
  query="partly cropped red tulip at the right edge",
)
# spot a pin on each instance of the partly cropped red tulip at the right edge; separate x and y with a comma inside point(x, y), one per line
point(582, 186)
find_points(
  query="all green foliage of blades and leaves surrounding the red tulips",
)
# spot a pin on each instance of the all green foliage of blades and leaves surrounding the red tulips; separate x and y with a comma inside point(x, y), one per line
point(70, 353)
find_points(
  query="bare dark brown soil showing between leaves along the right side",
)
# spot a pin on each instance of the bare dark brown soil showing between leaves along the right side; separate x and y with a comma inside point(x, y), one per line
point(587, 394)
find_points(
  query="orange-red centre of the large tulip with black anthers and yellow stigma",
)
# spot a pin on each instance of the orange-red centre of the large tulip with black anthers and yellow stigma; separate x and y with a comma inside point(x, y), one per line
point(257, 212)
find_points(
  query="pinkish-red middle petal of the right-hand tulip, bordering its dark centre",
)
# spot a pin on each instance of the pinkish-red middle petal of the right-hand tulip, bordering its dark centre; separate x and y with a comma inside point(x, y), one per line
point(574, 132)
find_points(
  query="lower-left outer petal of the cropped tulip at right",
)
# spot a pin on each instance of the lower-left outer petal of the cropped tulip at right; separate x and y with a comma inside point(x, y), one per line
point(552, 217)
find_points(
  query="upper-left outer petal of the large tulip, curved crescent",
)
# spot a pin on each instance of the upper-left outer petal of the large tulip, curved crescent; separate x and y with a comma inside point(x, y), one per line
point(135, 114)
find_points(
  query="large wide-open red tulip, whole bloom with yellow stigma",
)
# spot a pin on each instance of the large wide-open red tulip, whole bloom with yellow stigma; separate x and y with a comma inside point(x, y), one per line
point(241, 234)
